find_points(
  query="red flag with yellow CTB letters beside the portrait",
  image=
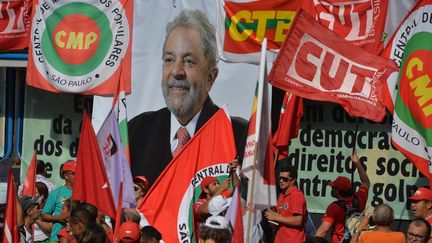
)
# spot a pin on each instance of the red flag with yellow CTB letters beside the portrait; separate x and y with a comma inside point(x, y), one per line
point(242, 26)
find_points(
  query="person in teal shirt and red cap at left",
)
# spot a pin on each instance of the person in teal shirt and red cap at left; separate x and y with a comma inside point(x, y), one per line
point(54, 203)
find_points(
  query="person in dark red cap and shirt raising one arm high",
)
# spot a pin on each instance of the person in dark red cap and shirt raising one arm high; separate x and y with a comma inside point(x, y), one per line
point(334, 217)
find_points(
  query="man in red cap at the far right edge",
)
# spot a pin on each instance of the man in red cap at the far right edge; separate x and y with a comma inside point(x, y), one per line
point(421, 204)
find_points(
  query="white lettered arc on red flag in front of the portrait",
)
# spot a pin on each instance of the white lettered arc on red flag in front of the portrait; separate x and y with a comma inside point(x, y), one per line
point(191, 195)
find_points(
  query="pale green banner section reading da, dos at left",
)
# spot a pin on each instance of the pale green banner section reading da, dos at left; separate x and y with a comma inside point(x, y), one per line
point(51, 127)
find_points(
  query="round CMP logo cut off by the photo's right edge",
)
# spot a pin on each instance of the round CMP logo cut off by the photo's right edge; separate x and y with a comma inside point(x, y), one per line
point(414, 105)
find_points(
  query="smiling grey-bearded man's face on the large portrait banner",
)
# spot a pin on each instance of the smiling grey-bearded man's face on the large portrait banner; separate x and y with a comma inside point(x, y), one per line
point(186, 77)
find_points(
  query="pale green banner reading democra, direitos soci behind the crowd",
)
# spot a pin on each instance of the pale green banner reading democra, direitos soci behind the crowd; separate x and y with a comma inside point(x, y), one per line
point(322, 152)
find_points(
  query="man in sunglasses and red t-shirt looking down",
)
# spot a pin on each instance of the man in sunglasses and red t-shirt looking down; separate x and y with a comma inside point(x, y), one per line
point(291, 209)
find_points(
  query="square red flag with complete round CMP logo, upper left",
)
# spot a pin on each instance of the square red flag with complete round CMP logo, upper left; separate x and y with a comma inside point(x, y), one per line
point(80, 46)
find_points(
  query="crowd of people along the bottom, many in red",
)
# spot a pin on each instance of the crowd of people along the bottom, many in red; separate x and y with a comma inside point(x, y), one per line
point(53, 216)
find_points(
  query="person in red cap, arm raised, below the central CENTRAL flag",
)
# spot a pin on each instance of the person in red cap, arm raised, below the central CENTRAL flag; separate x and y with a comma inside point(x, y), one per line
point(211, 188)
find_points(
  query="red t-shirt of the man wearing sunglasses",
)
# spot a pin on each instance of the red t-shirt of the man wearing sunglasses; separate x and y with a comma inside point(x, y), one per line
point(291, 203)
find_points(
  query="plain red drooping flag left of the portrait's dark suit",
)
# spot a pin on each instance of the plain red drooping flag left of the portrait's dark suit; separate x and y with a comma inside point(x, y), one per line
point(91, 183)
